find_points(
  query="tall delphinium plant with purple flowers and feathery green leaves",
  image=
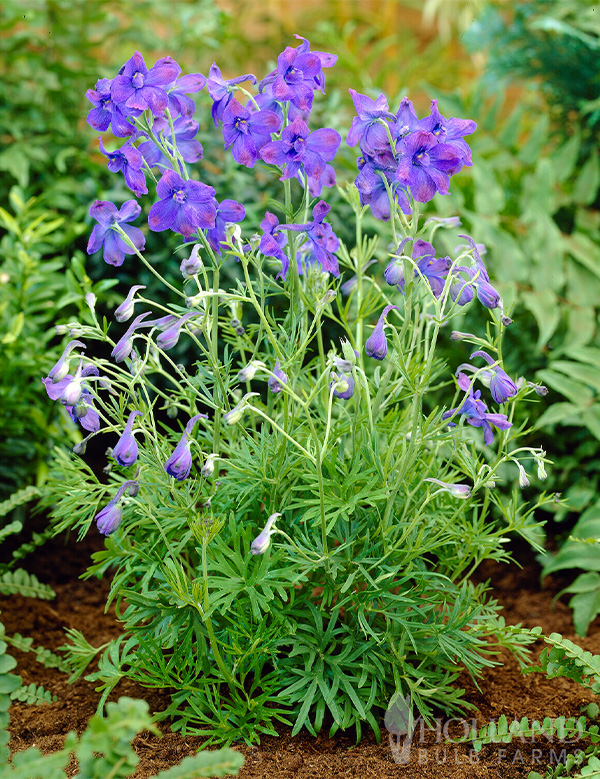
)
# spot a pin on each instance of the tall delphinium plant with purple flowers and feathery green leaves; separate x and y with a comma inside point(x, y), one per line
point(298, 490)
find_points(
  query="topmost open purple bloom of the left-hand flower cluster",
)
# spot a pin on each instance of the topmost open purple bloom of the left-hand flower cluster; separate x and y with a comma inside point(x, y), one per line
point(141, 89)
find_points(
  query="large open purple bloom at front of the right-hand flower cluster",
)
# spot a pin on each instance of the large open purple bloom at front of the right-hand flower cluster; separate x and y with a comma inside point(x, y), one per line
point(426, 165)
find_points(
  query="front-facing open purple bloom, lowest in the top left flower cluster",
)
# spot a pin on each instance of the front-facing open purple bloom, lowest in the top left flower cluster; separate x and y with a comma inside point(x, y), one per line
point(184, 206)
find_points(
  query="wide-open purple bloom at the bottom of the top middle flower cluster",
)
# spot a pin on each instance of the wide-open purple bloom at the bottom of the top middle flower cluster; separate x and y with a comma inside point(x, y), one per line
point(298, 147)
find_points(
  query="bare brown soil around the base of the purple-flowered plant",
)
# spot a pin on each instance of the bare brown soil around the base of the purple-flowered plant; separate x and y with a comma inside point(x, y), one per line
point(503, 690)
